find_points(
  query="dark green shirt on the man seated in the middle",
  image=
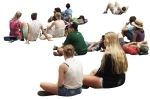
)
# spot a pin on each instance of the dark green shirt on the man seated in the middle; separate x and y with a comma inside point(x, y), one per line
point(76, 39)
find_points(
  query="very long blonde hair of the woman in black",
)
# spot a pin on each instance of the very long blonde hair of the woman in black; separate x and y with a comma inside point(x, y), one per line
point(117, 54)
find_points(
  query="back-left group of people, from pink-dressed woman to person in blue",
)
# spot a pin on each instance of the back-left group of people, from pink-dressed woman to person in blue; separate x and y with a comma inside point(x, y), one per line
point(30, 31)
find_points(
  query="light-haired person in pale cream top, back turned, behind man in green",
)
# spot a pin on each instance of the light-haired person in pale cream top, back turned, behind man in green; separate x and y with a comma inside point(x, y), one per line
point(59, 26)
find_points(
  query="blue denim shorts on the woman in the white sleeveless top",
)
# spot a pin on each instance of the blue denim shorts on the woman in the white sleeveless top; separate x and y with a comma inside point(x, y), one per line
point(62, 91)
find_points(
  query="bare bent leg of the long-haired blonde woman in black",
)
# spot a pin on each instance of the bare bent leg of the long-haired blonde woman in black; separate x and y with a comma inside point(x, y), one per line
point(92, 81)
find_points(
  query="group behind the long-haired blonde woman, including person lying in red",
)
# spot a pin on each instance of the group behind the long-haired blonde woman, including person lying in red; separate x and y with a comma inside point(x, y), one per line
point(134, 32)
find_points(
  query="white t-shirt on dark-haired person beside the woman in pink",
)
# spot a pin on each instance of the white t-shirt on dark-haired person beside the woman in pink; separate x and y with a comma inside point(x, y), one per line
point(35, 27)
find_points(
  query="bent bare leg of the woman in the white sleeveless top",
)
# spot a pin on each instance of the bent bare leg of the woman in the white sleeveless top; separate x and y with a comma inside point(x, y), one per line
point(49, 87)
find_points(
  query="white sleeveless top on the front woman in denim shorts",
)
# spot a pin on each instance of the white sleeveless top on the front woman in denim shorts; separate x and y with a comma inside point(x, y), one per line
point(74, 75)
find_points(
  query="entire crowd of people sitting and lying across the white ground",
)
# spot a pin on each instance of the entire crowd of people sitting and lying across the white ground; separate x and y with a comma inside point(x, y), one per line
point(111, 72)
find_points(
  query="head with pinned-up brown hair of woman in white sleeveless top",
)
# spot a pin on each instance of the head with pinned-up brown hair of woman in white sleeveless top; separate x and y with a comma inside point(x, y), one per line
point(68, 51)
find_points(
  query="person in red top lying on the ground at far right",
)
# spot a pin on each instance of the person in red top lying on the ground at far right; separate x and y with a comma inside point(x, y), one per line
point(134, 48)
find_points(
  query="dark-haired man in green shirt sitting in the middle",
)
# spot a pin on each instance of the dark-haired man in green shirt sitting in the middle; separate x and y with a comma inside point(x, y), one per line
point(75, 38)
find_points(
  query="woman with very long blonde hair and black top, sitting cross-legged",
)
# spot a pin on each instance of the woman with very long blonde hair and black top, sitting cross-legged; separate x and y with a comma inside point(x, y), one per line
point(114, 64)
